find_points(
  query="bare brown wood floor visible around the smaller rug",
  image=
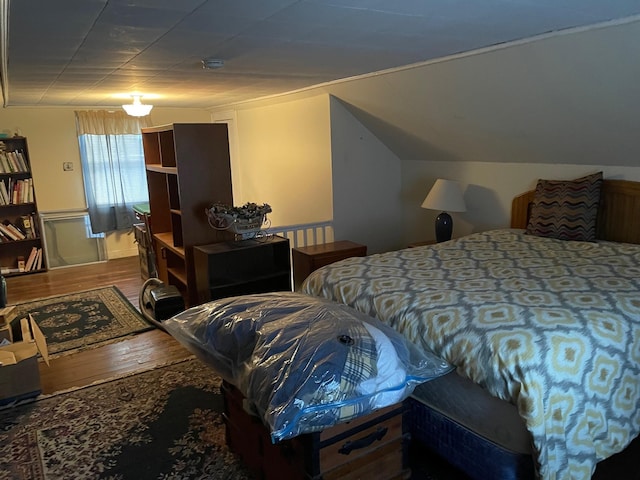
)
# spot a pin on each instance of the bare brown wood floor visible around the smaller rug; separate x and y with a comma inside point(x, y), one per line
point(140, 352)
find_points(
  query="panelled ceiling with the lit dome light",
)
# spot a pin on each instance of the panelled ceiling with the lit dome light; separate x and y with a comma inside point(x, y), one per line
point(89, 52)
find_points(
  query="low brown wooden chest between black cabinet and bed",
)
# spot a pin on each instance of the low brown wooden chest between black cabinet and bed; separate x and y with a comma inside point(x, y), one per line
point(307, 259)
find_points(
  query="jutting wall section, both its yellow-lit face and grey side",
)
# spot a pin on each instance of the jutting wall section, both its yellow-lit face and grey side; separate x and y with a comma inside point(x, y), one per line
point(312, 161)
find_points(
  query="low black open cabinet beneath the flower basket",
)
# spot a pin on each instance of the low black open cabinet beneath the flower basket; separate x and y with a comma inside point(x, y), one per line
point(226, 269)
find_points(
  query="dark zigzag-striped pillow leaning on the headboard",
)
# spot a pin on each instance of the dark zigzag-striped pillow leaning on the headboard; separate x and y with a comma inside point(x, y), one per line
point(566, 210)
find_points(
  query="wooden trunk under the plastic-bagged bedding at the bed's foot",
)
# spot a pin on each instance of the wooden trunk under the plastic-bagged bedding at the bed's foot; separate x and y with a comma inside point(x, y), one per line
point(370, 446)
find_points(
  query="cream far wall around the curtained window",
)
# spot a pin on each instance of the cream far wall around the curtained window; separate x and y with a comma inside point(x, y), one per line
point(52, 140)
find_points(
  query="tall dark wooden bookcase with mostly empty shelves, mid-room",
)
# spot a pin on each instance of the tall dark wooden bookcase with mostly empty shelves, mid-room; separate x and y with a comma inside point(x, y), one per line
point(188, 168)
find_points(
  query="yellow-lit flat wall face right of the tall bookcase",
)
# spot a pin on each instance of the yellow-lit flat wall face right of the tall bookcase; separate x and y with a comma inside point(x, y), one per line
point(284, 159)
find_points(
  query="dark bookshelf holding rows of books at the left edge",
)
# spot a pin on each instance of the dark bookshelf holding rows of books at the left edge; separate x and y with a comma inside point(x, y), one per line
point(17, 209)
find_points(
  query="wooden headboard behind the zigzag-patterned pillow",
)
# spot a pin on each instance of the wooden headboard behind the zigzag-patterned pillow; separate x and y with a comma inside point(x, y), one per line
point(618, 213)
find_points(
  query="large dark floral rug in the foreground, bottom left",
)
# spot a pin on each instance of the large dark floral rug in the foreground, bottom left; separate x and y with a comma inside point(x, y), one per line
point(160, 424)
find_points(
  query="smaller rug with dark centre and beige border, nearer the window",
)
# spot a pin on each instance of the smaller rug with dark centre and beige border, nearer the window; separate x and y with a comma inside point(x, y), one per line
point(82, 320)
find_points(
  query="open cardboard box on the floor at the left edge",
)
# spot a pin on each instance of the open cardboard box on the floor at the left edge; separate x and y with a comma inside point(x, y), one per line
point(19, 371)
